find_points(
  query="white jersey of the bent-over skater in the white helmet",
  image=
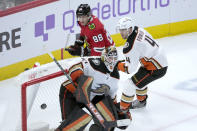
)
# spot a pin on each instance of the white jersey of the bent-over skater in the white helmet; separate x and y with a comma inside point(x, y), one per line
point(141, 48)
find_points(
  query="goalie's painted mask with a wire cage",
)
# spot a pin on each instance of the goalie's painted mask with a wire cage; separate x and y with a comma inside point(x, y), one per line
point(110, 57)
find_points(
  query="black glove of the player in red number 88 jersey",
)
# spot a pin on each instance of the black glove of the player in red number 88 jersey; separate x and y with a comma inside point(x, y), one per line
point(75, 50)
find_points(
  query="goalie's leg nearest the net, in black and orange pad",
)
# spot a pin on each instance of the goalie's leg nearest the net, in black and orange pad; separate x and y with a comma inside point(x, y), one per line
point(73, 116)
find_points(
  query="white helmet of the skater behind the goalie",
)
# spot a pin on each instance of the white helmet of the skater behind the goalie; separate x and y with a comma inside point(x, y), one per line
point(124, 23)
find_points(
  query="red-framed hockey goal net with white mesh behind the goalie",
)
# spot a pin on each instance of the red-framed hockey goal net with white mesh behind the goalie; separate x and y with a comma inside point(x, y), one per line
point(40, 95)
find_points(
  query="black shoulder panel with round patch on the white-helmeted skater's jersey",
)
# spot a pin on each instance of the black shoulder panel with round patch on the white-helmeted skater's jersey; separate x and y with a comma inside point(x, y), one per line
point(130, 41)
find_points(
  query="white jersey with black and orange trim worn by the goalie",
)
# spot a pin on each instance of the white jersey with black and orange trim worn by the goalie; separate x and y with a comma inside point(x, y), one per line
point(95, 68)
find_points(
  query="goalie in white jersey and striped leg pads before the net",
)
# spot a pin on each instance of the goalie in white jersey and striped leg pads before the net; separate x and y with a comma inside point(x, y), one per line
point(96, 77)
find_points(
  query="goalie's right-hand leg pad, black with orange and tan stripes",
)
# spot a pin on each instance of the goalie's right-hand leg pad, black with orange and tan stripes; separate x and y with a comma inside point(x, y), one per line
point(110, 112)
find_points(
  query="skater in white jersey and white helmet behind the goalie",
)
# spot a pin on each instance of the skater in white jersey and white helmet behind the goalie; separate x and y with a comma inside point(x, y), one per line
point(140, 47)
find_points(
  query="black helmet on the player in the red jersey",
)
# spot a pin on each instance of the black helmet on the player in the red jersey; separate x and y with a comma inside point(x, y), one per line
point(83, 9)
